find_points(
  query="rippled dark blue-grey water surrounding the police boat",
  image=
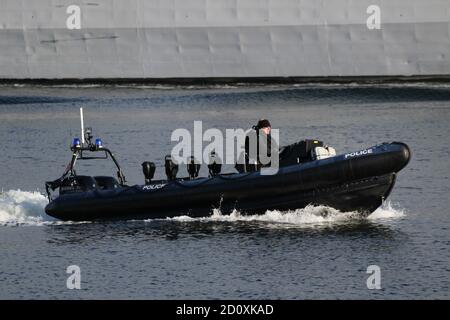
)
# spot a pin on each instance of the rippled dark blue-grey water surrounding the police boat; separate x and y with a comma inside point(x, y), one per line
point(288, 255)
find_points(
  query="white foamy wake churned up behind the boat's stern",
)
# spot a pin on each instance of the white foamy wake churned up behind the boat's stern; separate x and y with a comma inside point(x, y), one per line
point(23, 208)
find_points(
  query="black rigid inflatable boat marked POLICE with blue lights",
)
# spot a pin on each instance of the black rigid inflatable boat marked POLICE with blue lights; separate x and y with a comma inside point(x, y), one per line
point(355, 181)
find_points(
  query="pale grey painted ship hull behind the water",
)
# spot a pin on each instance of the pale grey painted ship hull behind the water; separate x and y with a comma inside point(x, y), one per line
point(137, 39)
